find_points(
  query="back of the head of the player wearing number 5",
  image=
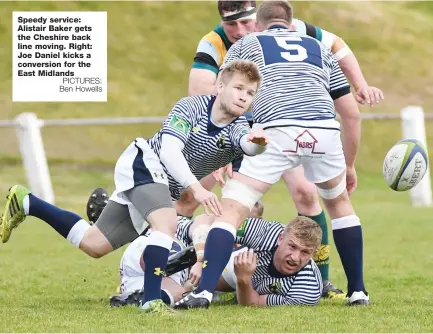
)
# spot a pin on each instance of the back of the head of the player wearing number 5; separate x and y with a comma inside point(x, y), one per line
point(274, 13)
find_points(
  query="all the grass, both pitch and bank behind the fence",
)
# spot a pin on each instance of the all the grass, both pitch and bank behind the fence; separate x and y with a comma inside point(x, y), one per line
point(48, 286)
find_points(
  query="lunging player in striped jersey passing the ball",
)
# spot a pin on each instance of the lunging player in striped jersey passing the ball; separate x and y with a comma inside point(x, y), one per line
point(201, 134)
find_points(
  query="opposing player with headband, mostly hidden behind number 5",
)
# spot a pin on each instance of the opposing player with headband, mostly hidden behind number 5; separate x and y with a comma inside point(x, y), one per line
point(238, 20)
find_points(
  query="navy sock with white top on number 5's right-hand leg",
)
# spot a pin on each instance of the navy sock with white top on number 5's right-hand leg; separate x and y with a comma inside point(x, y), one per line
point(347, 233)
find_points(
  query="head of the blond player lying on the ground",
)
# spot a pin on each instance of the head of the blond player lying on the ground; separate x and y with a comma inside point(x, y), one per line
point(297, 244)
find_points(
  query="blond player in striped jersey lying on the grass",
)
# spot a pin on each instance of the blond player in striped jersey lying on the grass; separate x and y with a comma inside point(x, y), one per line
point(280, 271)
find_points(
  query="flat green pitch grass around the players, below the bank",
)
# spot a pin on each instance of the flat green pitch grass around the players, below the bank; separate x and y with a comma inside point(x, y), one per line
point(49, 286)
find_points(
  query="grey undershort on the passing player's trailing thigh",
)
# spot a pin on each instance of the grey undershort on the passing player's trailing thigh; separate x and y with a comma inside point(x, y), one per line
point(116, 225)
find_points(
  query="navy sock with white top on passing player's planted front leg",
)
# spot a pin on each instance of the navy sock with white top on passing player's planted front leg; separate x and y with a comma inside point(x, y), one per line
point(155, 258)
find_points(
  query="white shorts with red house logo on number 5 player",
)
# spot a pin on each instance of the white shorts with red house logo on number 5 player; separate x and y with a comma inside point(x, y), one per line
point(316, 145)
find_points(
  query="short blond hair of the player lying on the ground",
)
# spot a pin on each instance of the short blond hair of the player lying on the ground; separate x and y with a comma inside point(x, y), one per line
point(305, 230)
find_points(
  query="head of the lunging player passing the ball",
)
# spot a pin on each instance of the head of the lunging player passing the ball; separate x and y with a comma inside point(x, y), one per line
point(237, 85)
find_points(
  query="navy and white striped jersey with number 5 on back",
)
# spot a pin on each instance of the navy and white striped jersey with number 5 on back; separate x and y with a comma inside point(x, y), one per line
point(300, 76)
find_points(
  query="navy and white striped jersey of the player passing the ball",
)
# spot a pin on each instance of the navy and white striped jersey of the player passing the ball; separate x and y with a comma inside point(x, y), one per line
point(208, 147)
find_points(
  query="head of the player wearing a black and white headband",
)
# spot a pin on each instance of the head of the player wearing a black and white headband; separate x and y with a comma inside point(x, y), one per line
point(238, 18)
